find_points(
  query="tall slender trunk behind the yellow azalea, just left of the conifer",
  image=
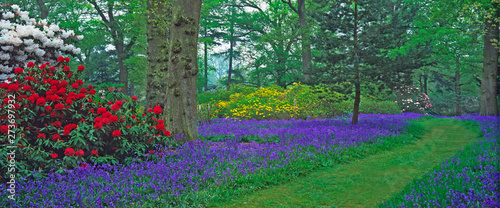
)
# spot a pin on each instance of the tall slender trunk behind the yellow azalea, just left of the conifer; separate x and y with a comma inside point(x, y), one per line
point(306, 45)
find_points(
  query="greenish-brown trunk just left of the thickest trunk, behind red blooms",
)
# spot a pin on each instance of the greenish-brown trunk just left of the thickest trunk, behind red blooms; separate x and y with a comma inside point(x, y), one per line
point(159, 17)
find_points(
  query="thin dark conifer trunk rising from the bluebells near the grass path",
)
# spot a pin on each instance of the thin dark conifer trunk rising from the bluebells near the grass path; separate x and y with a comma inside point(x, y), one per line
point(357, 81)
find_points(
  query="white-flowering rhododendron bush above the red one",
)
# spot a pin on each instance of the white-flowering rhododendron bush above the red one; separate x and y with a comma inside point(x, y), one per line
point(24, 39)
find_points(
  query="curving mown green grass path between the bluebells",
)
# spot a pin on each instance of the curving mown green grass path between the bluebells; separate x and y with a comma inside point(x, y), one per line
point(366, 182)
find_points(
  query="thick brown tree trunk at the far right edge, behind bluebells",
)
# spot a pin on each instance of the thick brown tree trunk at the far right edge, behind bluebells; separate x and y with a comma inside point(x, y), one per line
point(490, 69)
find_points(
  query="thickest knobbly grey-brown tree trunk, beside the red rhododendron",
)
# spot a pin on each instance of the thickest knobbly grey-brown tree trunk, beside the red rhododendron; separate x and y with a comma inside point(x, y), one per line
point(180, 104)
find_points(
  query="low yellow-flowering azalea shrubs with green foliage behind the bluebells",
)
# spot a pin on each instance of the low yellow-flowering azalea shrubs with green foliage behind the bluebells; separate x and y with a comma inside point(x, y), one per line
point(274, 102)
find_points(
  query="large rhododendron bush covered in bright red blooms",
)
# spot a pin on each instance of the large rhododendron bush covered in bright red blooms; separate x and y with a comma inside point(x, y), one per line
point(51, 120)
